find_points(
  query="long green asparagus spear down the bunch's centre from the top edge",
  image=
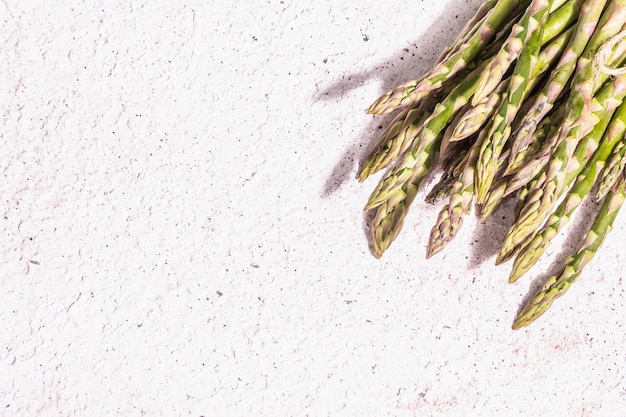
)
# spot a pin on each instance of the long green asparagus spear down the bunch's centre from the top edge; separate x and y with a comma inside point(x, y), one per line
point(529, 38)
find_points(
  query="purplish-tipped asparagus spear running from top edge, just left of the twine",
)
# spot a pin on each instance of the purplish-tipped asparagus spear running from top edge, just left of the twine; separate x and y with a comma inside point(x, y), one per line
point(590, 13)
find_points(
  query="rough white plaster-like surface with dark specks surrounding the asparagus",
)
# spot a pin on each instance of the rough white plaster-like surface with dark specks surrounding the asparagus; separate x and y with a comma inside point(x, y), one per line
point(182, 232)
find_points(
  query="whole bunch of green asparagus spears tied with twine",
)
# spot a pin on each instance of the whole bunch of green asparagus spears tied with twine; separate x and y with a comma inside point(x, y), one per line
point(526, 103)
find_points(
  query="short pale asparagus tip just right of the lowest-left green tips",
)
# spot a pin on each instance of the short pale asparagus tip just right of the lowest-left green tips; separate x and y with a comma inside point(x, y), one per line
point(450, 217)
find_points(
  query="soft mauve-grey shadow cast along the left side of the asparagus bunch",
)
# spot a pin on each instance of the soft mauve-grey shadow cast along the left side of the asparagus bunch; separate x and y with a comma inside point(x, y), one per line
point(407, 64)
